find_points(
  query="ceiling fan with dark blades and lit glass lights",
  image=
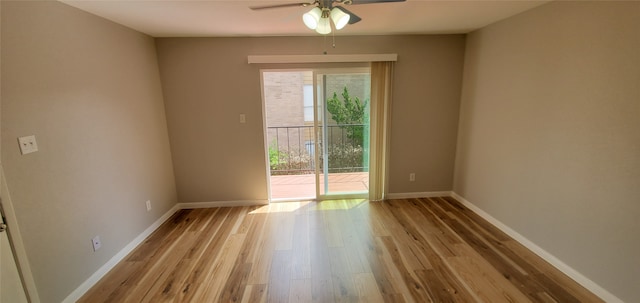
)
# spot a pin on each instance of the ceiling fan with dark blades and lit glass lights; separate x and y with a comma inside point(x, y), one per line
point(319, 18)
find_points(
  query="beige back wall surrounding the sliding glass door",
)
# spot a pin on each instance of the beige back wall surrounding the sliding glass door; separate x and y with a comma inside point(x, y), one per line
point(207, 84)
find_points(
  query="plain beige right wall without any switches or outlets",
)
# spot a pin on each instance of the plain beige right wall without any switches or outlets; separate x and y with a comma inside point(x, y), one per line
point(549, 139)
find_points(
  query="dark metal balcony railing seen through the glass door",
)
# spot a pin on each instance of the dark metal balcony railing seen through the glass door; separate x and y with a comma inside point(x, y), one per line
point(292, 149)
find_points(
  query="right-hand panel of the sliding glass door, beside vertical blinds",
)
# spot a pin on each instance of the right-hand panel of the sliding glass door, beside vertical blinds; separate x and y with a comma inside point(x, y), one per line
point(342, 132)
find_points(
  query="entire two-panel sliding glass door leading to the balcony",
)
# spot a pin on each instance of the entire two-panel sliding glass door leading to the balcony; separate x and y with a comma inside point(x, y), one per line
point(317, 133)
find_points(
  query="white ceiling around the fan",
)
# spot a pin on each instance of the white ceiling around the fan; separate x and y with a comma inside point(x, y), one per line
point(216, 18)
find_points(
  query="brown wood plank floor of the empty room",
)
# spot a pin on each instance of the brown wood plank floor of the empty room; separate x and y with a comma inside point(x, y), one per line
point(409, 250)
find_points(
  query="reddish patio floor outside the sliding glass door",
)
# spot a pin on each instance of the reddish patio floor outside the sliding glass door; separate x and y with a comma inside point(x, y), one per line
point(304, 186)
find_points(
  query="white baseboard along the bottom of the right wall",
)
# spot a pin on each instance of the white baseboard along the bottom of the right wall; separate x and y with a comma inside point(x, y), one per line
point(557, 263)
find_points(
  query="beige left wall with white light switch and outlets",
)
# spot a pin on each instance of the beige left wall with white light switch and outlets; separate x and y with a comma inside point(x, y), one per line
point(89, 90)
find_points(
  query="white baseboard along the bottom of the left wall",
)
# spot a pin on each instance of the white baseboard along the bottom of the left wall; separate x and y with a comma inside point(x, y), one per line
point(102, 271)
